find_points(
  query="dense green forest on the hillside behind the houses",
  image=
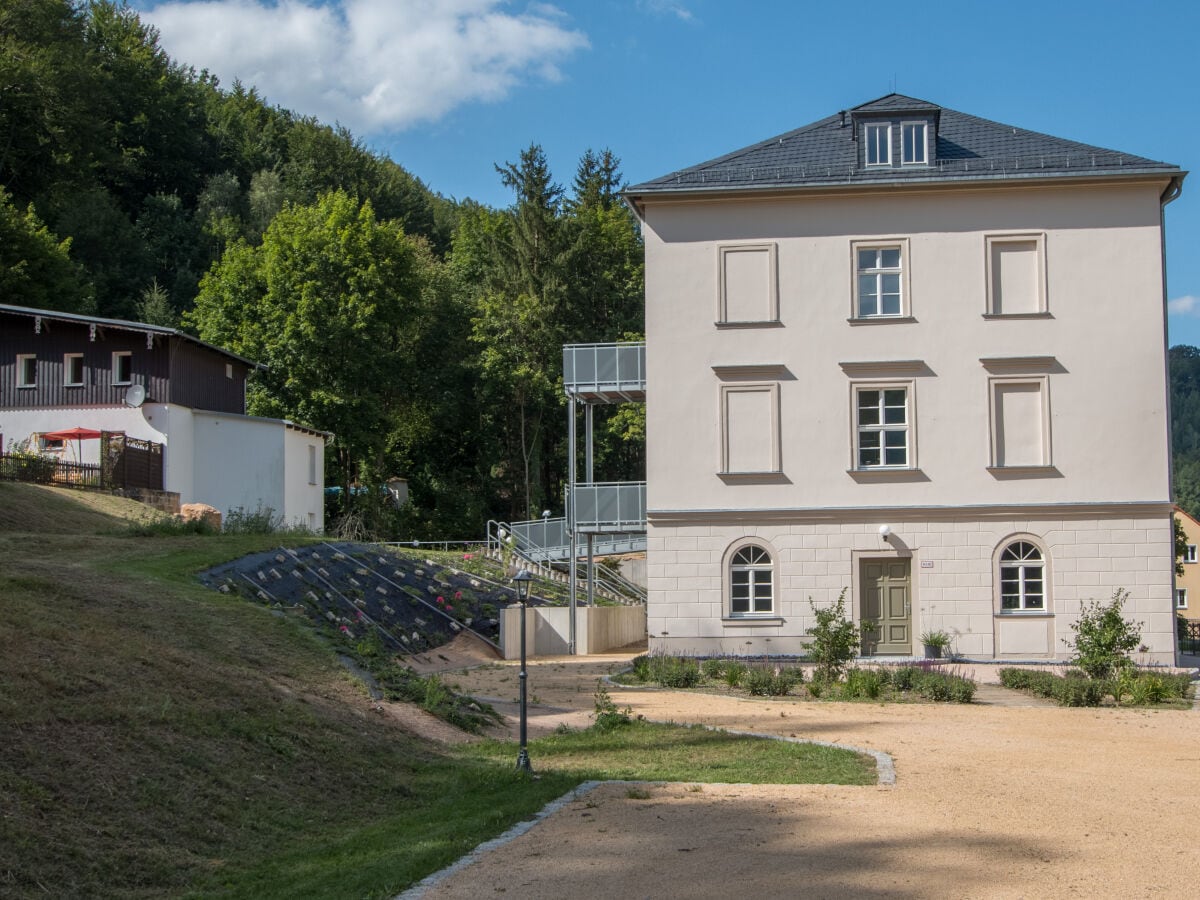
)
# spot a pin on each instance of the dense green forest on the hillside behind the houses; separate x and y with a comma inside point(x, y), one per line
point(424, 333)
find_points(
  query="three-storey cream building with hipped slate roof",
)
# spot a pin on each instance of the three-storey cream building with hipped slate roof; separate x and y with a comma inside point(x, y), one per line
point(914, 356)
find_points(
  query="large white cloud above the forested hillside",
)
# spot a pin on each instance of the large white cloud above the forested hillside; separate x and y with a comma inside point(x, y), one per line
point(373, 65)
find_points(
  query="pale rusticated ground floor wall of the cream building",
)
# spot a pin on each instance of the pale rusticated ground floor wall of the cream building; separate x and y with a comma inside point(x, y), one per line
point(1090, 551)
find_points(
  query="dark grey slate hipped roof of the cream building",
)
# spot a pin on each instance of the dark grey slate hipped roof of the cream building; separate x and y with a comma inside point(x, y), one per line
point(968, 149)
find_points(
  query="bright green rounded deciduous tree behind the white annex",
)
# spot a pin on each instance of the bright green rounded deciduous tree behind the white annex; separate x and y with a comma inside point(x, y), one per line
point(335, 304)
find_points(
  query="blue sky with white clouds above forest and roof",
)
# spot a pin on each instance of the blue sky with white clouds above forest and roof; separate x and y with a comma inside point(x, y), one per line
point(449, 88)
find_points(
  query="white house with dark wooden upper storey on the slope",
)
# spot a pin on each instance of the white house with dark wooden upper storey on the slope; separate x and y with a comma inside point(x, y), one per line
point(188, 399)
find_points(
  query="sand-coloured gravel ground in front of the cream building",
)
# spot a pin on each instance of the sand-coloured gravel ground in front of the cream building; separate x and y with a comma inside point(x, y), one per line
point(991, 802)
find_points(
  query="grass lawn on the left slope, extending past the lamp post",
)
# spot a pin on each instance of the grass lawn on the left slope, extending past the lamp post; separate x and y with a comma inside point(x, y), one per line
point(158, 739)
